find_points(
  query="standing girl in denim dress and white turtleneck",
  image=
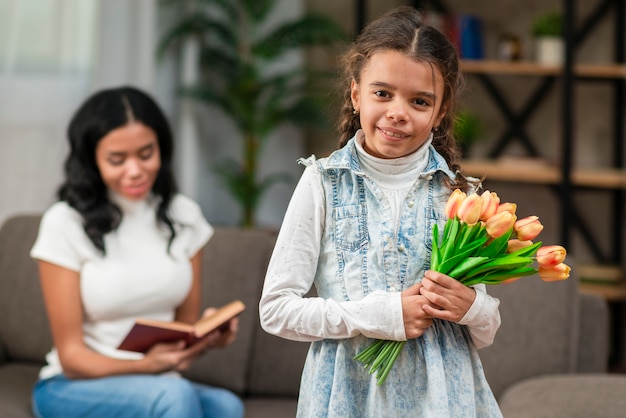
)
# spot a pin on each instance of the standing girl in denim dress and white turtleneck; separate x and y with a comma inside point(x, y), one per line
point(359, 228)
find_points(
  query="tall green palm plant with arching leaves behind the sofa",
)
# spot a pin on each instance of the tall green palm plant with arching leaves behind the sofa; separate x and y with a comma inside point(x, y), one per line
point(237, 43)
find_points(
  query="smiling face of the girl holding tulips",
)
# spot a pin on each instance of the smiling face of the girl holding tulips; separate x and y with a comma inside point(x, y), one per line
point(399, 100)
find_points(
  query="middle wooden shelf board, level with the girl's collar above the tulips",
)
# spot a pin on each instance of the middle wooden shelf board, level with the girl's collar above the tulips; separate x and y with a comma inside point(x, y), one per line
point(527, 171)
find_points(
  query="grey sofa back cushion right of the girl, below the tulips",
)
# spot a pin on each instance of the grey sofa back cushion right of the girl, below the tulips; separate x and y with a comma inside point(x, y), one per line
point(539, 331)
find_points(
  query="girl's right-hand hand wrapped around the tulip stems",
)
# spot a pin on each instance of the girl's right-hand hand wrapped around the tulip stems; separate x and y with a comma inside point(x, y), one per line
point(449, 299)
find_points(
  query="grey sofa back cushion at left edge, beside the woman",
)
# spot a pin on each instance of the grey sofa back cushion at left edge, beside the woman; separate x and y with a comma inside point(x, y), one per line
point(26, 335)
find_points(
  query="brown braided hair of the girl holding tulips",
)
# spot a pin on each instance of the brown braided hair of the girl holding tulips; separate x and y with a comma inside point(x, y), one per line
point(401, 29)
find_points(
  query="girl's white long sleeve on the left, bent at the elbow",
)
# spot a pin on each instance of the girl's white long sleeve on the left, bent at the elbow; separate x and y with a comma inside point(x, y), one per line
point(284, 309)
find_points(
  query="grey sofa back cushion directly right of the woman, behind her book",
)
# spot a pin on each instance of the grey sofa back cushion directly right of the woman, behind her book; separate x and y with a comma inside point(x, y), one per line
point(233, 267)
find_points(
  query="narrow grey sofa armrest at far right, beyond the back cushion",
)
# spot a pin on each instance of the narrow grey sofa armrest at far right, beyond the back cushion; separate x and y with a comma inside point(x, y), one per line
point(593, 338)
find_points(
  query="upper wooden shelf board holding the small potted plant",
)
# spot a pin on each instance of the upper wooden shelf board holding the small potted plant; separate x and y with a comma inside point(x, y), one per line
point(533, 68)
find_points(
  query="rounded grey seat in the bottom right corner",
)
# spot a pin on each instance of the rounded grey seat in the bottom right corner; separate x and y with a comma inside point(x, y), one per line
point(563, 396)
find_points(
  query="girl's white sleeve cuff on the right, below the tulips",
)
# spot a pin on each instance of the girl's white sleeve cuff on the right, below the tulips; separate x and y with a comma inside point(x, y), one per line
point(483, 318)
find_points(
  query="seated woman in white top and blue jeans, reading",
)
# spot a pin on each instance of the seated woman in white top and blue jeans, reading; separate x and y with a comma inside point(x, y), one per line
point(120, 244)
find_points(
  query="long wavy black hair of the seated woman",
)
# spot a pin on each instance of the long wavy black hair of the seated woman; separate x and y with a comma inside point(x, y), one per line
point(83, 188)
